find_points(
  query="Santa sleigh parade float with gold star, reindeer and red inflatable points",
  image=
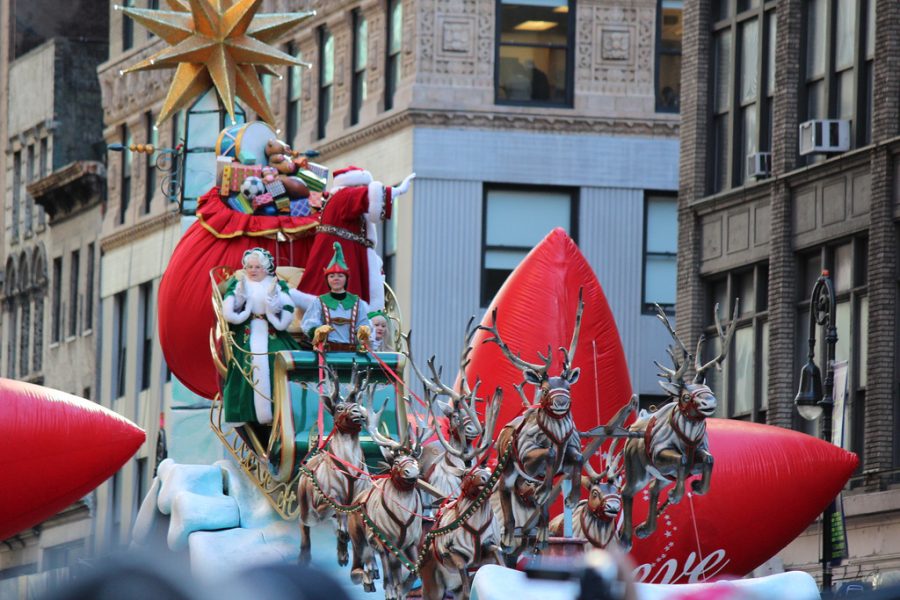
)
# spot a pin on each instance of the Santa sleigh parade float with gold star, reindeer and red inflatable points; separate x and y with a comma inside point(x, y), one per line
point(274, 307)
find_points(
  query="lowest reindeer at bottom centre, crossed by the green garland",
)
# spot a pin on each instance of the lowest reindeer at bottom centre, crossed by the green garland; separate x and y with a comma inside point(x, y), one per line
point(445, 566)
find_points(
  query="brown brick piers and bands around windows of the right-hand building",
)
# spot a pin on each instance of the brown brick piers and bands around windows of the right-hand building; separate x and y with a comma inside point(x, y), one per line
point(796, 196)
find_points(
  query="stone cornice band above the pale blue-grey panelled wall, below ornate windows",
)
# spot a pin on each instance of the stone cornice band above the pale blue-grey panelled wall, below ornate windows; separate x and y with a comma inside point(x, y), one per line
point(496, 120)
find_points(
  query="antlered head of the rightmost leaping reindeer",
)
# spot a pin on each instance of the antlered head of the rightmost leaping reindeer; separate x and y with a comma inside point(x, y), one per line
point(695, 399)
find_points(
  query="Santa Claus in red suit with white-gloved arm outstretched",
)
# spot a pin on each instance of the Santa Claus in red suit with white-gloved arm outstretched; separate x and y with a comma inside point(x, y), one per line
point(355, 206)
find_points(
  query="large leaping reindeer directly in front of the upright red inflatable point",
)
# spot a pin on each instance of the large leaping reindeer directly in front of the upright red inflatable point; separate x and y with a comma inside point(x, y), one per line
point(541, 443)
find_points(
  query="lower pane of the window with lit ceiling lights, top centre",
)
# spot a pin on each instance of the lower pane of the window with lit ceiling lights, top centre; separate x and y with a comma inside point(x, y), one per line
point(528, 73)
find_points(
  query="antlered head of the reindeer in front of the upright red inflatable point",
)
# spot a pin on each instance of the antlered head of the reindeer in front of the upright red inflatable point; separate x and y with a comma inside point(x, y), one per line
point(553, 390)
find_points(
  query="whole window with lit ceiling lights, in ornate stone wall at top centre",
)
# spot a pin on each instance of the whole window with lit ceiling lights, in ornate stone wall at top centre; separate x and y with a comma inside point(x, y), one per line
point(535, 42)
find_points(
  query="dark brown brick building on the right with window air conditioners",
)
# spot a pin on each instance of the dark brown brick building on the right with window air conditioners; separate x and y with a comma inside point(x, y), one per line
point(762, 211)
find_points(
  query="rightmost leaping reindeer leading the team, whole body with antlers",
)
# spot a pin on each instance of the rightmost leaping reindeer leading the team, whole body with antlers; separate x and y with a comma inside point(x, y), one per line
point(673, 443)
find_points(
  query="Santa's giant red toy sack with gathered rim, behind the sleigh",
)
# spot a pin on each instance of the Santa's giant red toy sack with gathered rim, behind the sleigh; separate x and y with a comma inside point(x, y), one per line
point(218, 237)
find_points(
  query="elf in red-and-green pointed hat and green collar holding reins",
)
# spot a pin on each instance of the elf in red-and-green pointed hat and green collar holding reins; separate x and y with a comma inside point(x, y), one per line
point(338, 318)
